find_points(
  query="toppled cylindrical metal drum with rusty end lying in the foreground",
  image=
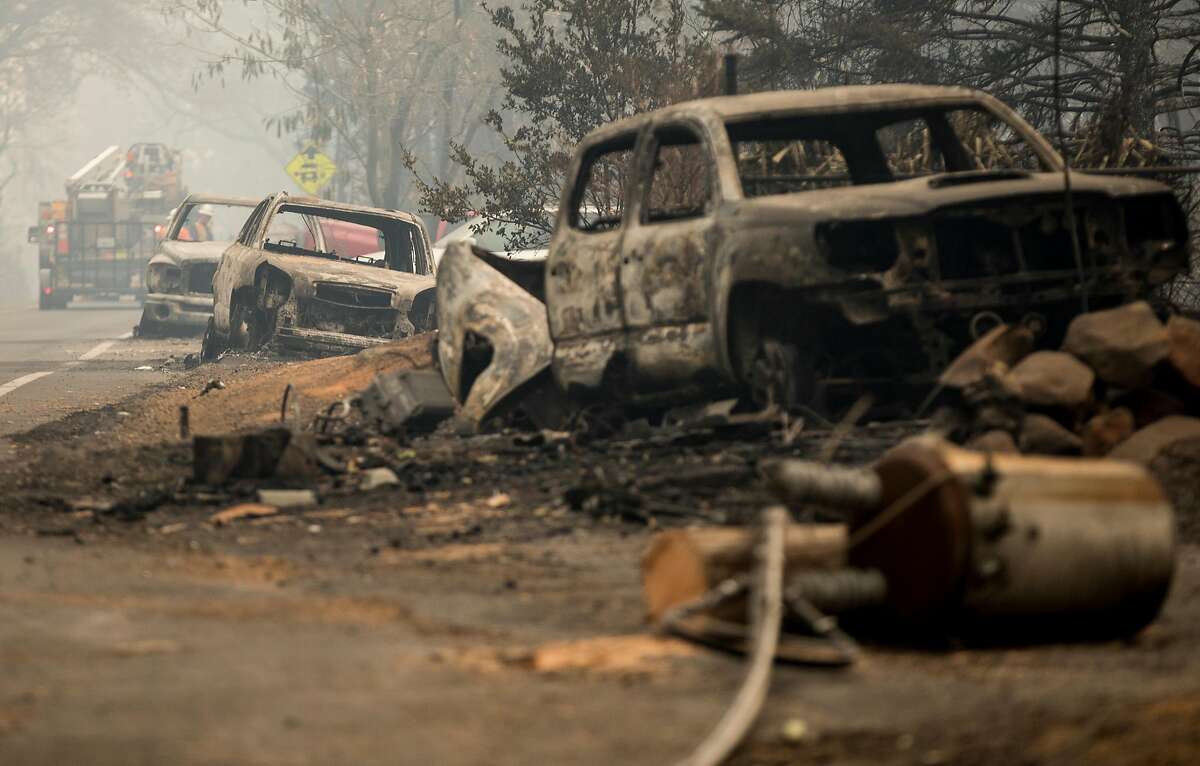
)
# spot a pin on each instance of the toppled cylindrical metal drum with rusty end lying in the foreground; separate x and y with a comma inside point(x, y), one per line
point(1017, 544)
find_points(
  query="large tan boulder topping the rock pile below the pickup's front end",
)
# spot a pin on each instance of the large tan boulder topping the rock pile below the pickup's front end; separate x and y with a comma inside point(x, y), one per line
point(1123, 345)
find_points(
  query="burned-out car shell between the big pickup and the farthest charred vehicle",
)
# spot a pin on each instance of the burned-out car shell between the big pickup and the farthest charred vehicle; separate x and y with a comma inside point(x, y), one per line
point(321, 277)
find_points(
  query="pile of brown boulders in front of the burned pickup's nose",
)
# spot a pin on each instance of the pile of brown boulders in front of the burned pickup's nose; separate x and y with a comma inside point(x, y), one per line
point(1124, 385)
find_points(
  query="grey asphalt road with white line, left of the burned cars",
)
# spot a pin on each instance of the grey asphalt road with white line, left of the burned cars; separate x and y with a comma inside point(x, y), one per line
point(53, 363)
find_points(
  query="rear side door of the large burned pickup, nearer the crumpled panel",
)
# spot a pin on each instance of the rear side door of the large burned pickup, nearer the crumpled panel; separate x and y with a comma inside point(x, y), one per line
point(583, 268)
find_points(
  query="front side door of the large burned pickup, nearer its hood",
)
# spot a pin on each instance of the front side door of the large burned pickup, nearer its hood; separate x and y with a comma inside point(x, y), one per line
point(665, 271)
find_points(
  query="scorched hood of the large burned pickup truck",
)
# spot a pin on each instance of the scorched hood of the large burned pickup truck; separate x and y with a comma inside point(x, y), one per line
point(922, 196)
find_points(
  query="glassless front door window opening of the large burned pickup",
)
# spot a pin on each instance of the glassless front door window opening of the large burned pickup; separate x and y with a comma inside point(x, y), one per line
point(681, 181)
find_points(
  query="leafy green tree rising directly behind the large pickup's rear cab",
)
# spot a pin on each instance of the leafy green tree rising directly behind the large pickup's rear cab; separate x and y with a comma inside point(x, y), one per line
point(569, 67)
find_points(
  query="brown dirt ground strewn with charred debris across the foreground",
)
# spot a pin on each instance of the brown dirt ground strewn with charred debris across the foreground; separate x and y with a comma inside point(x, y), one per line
point(487, 611)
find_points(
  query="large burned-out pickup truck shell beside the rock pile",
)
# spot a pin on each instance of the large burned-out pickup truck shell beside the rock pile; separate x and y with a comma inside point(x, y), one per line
point(802, 248)
